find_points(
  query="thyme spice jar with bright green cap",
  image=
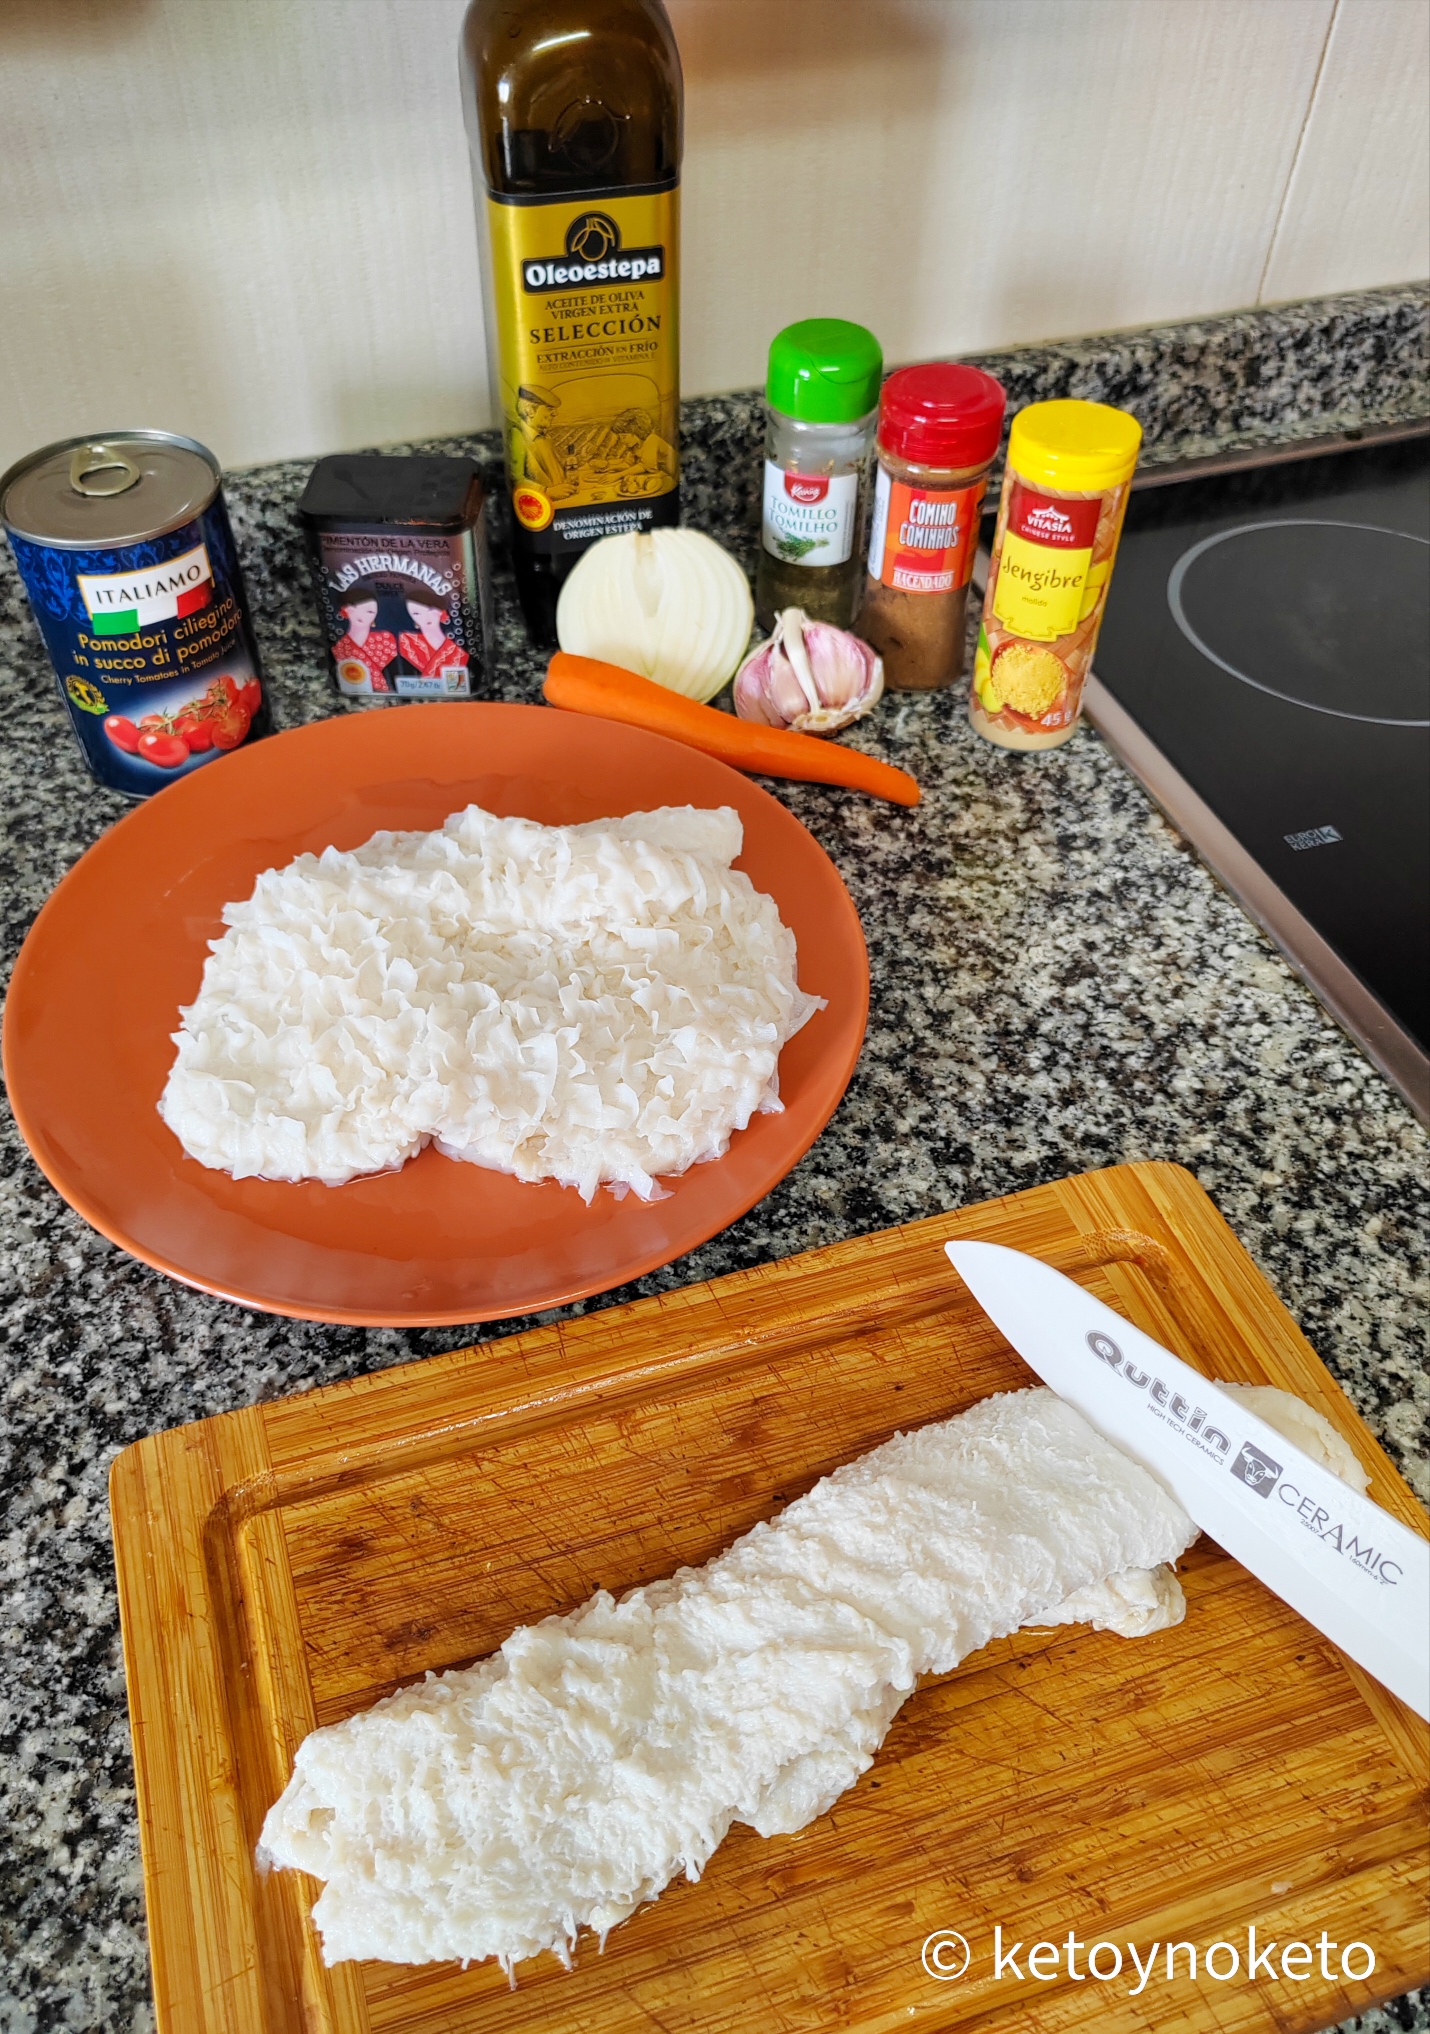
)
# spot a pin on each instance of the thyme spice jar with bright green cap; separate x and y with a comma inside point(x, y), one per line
point(821, 396)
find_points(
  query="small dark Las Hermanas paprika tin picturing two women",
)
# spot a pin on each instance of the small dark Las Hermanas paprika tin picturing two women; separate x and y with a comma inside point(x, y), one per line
point(402, 575)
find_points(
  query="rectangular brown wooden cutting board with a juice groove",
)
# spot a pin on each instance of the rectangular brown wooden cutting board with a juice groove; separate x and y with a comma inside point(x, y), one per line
point(286, 1565)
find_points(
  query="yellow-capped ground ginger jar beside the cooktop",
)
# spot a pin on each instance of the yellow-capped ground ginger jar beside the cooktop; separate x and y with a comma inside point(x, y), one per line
point(1065, 495)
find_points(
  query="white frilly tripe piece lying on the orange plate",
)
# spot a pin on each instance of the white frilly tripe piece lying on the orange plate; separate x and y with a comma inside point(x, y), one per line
point(595, 1004)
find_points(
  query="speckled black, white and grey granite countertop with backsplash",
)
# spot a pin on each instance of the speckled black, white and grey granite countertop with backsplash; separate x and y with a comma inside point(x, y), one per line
point(1057, 985)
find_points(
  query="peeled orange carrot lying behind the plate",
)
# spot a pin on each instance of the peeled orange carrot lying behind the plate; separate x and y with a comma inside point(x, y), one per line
point(589, 686)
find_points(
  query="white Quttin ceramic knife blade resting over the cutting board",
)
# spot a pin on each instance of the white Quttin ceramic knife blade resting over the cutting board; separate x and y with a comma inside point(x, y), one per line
point(1342, 1561)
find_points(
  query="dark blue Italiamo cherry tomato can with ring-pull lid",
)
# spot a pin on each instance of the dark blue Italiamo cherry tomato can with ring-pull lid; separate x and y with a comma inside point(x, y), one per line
point(129, 560)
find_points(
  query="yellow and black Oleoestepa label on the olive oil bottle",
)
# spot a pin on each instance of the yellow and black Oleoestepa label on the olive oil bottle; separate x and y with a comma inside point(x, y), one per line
point(589, 357)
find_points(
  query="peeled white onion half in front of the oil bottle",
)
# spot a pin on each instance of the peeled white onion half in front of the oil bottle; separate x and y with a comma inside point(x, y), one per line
point(664, 603)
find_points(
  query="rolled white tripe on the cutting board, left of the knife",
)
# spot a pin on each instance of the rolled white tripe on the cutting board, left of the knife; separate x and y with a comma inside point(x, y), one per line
point(499, 1809)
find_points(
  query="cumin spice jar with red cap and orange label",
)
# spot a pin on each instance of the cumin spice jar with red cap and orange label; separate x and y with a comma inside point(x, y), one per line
point(939, 432)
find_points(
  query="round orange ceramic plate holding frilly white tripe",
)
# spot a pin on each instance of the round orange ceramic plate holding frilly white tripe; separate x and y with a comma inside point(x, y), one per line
point(123, 943)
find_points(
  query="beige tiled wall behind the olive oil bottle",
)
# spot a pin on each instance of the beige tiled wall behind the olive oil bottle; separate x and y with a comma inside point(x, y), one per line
point(251, 221)
